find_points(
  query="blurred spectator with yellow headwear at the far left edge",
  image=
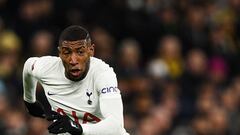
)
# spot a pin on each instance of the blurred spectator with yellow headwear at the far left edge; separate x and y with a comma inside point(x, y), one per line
point(10, 45)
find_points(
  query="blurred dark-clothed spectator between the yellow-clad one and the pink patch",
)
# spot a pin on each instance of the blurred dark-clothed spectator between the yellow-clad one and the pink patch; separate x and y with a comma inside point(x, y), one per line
point(193, 77)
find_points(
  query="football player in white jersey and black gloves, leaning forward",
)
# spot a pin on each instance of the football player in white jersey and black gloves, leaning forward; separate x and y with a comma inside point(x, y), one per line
point(81, 89)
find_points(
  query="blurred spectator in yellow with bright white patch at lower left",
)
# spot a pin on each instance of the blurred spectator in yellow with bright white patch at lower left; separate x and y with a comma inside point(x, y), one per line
point(168, 59)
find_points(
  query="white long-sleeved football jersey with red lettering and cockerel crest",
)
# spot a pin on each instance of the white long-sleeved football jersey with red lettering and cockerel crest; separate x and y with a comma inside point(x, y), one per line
point(83, 101)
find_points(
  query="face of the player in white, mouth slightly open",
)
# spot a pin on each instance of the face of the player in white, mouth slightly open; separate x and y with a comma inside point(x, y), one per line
point(75, 56)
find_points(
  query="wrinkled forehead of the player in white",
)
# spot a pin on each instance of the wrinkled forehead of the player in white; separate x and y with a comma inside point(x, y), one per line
point(74, 44)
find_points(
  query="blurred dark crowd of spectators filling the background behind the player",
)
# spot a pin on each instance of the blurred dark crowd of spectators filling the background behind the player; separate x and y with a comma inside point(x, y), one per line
point(177, 61)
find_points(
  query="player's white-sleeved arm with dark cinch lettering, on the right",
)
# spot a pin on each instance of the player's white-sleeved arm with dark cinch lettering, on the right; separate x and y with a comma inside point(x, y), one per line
point(111, 107)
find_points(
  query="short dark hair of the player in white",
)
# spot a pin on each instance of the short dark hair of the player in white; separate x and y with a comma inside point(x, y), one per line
point(73, 33)
